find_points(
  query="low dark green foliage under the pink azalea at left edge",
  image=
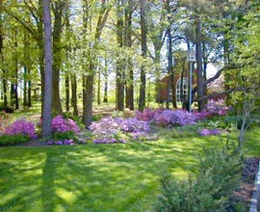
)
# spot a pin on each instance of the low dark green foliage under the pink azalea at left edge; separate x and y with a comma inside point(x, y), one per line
point(10, 140)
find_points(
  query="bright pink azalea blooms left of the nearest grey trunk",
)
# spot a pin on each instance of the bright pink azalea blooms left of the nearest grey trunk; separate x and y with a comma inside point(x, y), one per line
point(23, 127)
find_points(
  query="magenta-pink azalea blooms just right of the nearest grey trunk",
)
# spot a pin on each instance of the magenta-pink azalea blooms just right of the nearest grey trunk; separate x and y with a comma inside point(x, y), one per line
point(62, 125)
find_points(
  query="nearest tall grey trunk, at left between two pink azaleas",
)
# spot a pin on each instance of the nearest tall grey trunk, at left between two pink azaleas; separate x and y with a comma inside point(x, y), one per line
point(47, 107)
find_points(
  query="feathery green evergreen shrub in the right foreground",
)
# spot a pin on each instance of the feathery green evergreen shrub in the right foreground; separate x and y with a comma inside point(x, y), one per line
point(210, 189)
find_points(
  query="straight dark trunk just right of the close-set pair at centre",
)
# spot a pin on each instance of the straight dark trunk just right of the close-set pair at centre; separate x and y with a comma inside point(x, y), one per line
point(142, 94)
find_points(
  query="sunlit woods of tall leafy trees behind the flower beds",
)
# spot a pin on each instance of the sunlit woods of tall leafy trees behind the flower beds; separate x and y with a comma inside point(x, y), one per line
point(120, 51)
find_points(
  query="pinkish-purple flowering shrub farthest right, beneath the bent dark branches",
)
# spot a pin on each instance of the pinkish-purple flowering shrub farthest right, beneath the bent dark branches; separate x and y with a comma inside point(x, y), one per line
point(217, 107)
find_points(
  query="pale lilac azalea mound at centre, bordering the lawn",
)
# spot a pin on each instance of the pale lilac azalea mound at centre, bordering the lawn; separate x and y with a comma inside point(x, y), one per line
point(108, 129)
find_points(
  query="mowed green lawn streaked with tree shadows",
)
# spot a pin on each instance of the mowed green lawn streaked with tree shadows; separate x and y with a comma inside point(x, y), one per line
point(117, 177)
